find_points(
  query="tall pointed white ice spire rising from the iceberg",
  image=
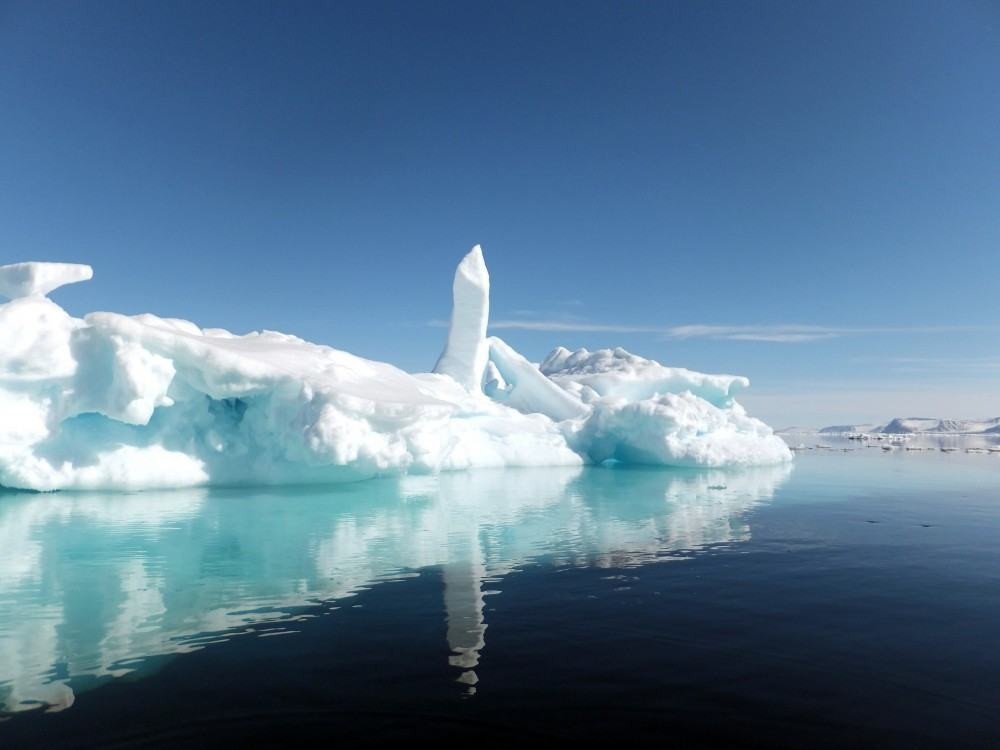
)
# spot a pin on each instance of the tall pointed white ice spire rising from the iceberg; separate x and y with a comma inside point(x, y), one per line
point(466, 353)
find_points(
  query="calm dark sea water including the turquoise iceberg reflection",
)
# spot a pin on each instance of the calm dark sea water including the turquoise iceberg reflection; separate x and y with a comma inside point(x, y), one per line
point(851, 597)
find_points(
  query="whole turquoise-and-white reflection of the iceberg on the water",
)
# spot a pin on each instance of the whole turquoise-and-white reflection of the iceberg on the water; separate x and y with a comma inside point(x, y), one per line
point(90, 585)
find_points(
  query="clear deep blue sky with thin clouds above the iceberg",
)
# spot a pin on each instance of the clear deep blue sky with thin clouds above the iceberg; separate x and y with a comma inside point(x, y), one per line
point(805, 193)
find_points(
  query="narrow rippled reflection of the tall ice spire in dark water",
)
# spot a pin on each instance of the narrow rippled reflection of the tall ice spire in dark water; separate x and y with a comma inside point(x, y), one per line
point(463, 603)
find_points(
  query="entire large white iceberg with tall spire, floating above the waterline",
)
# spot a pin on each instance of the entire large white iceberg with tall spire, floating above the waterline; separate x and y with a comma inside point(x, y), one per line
point(128, 402)
